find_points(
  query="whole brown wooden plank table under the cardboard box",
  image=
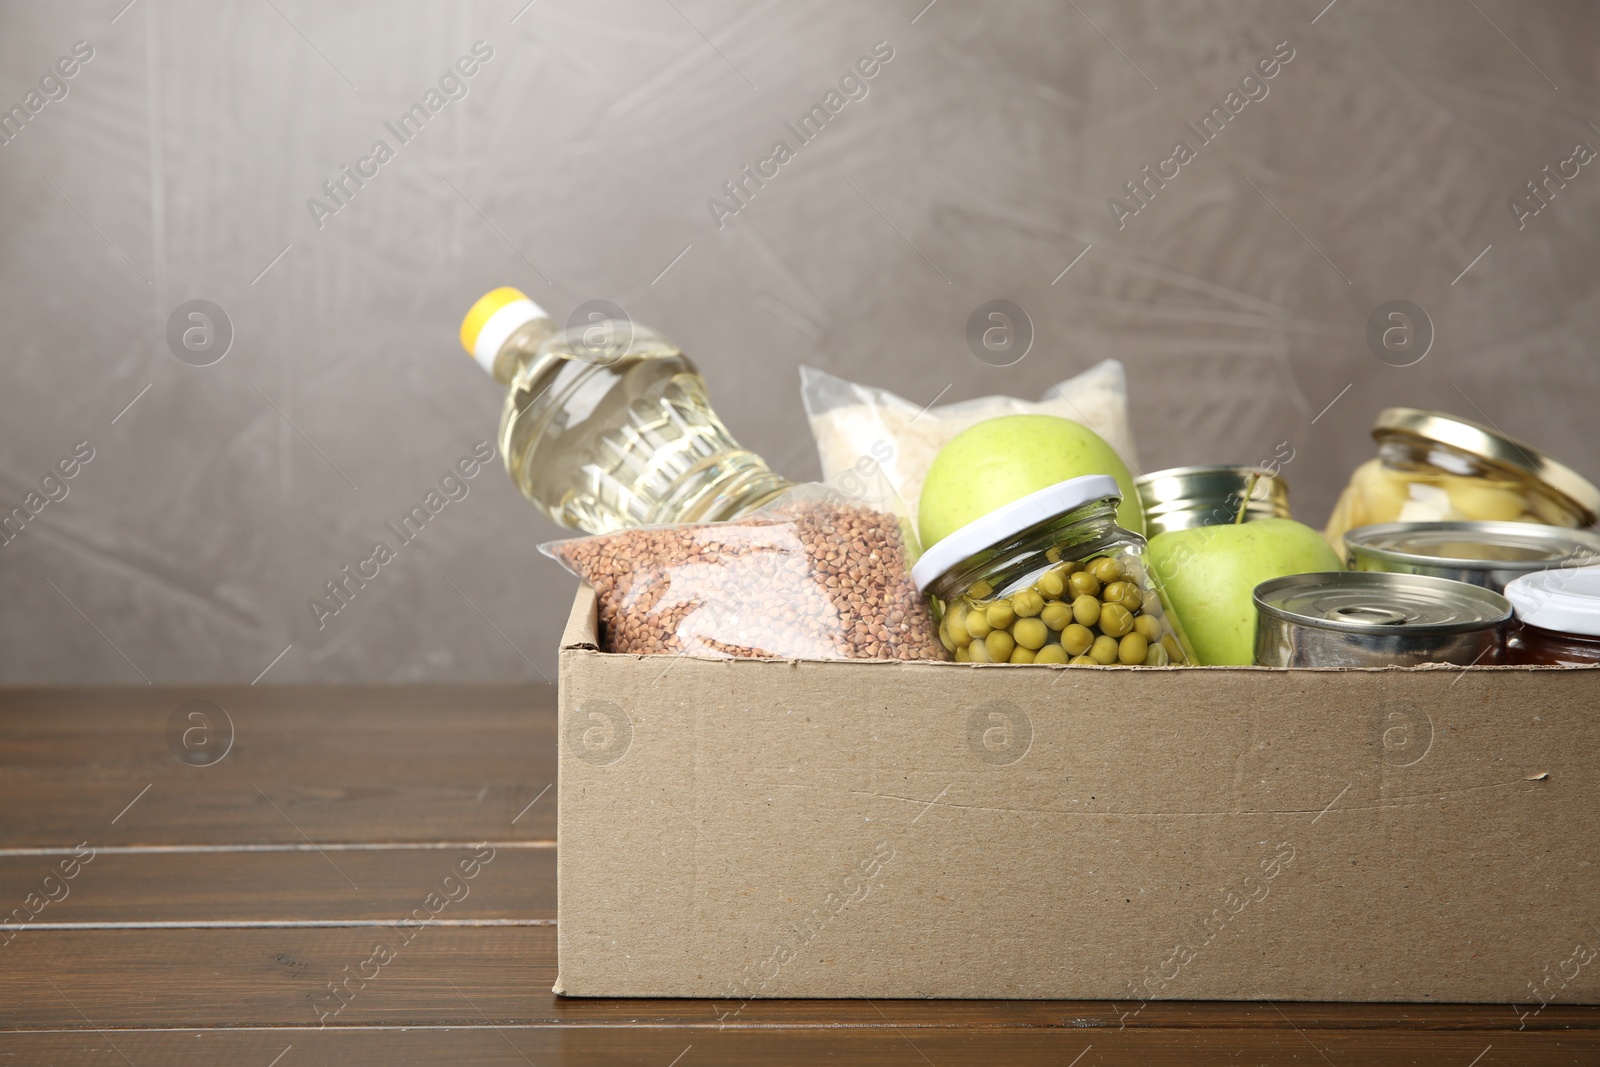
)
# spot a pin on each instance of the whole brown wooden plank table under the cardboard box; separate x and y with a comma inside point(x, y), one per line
point(225, 901)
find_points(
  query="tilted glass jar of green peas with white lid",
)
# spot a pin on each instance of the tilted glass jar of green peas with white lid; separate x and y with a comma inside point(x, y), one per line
point(1052, 580)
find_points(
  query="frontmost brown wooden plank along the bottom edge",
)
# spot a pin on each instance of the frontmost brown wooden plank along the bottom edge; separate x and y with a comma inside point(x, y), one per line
point(882, 1047)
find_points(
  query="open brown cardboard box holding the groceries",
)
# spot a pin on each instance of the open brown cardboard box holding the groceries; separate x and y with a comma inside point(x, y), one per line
point(742, 829)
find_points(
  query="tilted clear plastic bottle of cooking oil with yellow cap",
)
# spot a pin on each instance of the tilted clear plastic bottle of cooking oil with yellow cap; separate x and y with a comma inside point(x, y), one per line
point(607, 423)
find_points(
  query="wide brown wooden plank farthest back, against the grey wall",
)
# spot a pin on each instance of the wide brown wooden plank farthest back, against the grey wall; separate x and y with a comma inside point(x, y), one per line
point(350, 765)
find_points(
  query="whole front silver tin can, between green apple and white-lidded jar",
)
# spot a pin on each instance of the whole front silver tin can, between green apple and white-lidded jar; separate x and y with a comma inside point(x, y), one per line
point(1370, 620)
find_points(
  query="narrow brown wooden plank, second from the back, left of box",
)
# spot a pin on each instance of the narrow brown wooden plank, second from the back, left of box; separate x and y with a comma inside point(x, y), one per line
point(183, 887)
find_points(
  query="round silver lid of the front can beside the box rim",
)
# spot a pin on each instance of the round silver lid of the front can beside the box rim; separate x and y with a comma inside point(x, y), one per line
point(1367, 602)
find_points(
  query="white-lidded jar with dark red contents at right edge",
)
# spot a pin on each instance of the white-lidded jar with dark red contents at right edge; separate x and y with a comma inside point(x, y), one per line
point(1558, 618)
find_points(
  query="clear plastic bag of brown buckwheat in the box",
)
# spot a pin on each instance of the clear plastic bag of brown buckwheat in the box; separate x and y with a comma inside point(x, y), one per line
point(822, 573)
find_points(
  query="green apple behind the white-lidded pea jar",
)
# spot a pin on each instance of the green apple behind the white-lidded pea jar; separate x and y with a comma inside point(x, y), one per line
point(998, 462)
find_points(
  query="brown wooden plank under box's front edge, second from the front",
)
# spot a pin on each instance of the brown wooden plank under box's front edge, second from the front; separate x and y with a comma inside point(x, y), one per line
point(470, 975)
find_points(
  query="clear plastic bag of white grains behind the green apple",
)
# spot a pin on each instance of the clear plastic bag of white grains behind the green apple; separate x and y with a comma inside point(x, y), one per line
point(857, 426)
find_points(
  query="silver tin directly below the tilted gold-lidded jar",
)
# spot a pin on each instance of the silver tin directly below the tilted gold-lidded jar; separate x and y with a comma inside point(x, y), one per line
point(1484, 554)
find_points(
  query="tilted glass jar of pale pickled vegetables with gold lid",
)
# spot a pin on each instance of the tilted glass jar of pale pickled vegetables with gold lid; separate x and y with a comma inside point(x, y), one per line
point(1438, 468)
